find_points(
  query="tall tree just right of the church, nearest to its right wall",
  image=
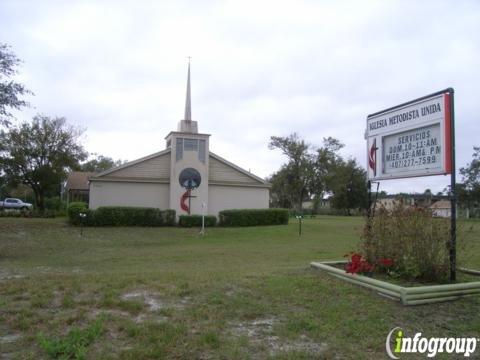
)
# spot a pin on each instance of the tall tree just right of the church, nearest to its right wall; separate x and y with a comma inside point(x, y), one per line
point(297, 174)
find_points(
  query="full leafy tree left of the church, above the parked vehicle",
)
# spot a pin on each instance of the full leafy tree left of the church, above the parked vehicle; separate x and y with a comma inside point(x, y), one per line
point(40, 154)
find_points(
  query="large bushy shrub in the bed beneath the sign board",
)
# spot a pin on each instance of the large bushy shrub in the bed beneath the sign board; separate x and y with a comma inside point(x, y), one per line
point(416, 241)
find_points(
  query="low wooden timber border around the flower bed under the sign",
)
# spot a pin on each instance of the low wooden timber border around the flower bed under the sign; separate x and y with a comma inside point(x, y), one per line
point(416, 295)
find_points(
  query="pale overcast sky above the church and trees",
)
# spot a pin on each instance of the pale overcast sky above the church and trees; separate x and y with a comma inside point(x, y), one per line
point(259, 68)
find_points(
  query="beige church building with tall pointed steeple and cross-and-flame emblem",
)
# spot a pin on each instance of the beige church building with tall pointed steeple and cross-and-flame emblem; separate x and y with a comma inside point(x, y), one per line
point(186, 177)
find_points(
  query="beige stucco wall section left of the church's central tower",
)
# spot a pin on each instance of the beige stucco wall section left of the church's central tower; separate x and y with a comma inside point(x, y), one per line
point(103, 193)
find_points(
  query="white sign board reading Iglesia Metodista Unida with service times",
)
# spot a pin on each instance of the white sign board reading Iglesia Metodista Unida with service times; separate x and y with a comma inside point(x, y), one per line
point(412, 139)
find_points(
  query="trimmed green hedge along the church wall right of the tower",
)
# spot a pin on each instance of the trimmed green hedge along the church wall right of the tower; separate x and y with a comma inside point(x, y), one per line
point(253, 217)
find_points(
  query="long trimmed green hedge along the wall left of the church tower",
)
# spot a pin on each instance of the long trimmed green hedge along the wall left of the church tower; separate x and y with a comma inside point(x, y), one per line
point(120, 216)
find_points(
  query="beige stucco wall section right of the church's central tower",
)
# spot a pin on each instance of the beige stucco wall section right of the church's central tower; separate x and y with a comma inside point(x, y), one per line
point(233, 197)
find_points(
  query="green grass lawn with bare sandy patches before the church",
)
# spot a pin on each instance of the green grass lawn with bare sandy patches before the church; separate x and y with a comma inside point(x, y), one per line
point(237, 293)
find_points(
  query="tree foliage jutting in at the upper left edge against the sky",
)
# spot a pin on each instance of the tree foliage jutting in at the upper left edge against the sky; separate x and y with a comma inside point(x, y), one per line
point(10, 91)
